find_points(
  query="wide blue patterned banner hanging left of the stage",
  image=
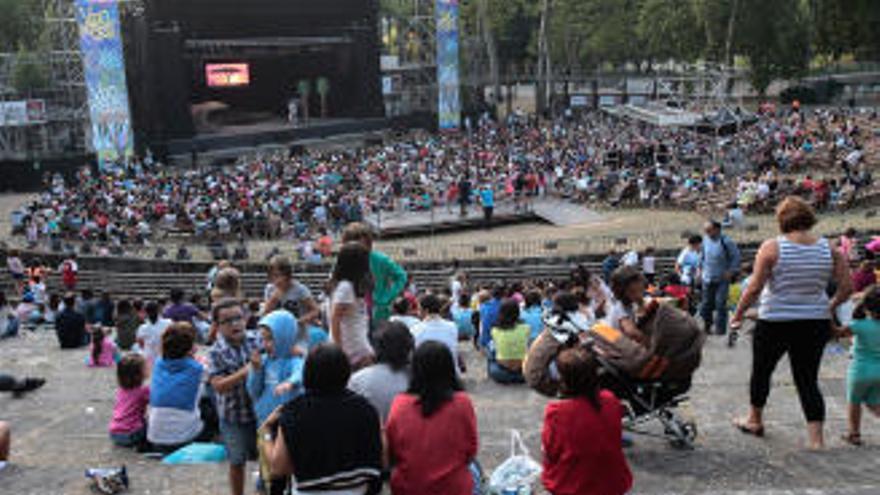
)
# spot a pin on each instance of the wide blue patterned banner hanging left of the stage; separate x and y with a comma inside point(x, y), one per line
point(101, 47)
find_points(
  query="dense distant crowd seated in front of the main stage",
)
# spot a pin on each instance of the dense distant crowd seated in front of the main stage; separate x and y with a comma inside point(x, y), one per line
point(593, 158)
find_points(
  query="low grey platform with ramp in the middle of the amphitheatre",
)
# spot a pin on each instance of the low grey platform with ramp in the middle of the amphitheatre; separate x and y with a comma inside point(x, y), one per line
point(552, 211)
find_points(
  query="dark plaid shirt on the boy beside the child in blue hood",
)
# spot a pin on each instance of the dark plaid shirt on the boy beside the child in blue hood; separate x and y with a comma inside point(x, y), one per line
point(223, 360)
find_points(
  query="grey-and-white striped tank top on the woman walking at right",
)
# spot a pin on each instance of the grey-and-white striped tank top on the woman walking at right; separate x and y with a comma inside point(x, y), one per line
point(797, 286)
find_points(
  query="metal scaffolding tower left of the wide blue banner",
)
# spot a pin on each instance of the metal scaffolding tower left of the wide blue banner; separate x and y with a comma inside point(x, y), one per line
point(64, 130)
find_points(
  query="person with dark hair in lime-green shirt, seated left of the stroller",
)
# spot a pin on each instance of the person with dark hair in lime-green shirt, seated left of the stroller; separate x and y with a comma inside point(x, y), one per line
point(510, 343)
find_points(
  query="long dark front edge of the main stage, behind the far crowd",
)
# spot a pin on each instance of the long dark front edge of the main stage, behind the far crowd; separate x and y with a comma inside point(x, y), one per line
point(278, 133)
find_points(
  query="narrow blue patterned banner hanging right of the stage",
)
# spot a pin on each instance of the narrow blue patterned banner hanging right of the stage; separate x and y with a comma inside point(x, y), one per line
point(449, 100)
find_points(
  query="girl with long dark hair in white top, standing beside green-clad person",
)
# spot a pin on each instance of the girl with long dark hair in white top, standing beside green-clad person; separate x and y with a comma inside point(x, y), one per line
point(349, 323)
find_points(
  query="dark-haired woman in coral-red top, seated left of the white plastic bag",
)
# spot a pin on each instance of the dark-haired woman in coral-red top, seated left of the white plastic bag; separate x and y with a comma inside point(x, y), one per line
point(432, 429)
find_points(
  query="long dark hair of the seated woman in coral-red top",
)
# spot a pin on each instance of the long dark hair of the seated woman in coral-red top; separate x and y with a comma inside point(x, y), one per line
point(433, 377)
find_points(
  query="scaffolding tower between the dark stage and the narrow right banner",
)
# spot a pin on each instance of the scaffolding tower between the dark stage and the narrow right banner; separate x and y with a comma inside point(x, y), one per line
point(409, 58)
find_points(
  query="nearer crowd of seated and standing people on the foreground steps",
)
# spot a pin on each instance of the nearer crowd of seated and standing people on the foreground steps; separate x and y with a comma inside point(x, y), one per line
point(341, 389)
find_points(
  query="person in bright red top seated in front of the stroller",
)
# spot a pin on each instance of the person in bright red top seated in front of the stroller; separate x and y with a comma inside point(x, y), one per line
point(582, 433)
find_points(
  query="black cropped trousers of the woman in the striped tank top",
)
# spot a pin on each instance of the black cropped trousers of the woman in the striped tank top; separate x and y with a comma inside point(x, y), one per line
point(804, 342)
